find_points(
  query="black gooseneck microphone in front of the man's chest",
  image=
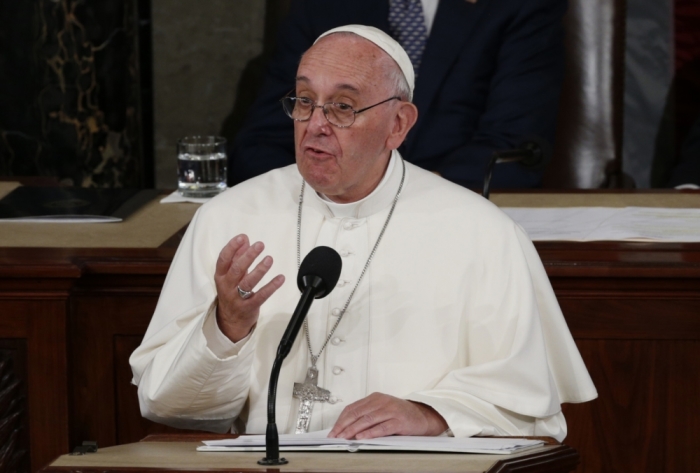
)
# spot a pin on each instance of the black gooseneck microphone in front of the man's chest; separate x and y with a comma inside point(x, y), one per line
point(318, 275)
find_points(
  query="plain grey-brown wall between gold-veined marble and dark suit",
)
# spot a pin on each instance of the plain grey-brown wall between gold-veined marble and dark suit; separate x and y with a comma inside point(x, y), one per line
point(199, 52)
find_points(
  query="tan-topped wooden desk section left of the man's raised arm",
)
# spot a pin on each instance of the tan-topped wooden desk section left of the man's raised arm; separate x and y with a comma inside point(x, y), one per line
point(69, 294)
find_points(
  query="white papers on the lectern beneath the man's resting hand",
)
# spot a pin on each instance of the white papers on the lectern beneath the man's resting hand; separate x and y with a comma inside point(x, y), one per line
point(318, 441)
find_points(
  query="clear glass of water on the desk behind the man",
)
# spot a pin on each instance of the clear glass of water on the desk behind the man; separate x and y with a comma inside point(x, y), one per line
point(201, 166)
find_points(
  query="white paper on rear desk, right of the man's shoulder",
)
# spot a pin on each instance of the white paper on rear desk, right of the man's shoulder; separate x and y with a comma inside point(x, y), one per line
point(605, 223)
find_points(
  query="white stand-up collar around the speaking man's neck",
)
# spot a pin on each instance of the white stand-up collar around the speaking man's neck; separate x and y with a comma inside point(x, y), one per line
point(380, 198)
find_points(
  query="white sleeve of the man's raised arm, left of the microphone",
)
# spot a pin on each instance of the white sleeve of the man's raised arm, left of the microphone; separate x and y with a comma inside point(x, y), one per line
point(181, 381)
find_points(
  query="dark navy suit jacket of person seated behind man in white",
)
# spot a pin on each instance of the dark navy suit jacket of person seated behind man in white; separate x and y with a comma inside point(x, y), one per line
point(490, 74)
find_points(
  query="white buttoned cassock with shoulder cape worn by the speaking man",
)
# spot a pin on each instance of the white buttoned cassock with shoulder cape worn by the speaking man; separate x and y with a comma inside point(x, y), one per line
point(455, 311)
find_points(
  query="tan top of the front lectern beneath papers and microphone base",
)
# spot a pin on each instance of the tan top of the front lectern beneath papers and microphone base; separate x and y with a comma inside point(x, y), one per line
point(182, 457)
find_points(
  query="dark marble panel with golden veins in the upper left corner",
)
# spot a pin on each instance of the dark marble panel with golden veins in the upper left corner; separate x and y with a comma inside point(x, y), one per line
point(71, 101)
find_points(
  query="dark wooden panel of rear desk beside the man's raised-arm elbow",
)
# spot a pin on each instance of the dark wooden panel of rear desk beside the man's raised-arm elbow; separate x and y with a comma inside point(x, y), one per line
point(106, 328)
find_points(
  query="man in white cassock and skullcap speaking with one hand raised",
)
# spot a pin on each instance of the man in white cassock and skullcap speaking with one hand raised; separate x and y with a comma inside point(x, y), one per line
point(443, 319)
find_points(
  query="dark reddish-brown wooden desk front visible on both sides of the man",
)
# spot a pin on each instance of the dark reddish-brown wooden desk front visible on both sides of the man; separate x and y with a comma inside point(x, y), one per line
point(70, 317)
